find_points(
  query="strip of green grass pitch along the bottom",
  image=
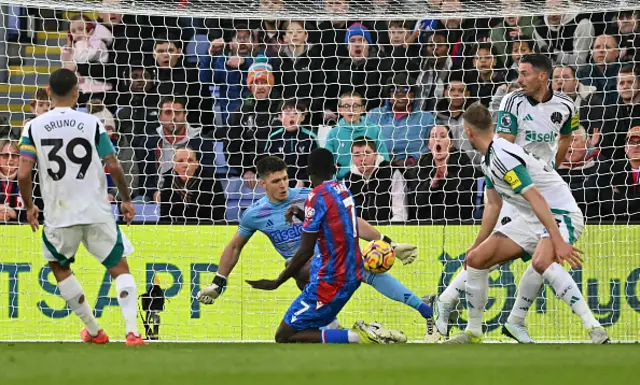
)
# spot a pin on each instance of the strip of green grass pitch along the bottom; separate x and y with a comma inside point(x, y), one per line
point(257, 364)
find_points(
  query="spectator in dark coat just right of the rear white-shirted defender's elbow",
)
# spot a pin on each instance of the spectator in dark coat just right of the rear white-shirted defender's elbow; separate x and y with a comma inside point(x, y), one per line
point(580, 171)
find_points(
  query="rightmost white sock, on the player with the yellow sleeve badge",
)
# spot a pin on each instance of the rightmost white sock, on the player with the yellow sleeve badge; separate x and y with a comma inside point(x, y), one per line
point(567, 290)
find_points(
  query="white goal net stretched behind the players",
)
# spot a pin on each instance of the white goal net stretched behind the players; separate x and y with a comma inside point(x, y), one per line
point(193, 93)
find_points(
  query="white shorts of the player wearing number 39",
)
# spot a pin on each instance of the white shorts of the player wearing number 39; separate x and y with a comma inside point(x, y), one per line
point(104, 241)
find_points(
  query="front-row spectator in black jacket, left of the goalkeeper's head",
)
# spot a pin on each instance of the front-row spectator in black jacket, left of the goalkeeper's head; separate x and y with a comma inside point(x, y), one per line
point(190, 192)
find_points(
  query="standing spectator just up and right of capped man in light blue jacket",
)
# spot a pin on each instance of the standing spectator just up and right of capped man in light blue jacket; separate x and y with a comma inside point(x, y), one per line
point(435, 71)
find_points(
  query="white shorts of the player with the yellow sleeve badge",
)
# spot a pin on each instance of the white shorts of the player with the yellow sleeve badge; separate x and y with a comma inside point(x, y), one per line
point(527, 234)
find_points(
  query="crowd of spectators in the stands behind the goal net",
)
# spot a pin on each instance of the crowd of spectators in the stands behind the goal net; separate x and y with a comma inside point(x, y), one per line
point(192, 104)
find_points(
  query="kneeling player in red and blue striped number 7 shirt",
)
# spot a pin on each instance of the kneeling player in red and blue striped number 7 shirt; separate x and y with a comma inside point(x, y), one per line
point(336, 270)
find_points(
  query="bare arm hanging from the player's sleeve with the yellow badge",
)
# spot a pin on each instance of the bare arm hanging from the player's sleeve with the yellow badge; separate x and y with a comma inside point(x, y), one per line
point(540, 207)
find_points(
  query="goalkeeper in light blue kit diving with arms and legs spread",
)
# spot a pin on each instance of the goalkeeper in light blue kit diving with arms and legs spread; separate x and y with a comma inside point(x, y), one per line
point(268, 215)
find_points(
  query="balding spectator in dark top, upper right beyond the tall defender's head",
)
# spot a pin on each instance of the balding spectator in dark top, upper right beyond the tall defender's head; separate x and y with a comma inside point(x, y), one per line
point(603, 69)
